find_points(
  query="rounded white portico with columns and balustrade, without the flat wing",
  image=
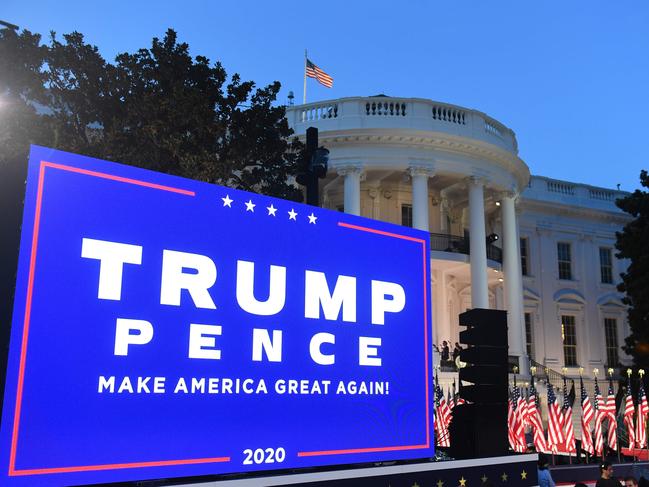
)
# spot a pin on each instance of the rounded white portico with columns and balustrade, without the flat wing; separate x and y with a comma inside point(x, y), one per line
point(447, 170)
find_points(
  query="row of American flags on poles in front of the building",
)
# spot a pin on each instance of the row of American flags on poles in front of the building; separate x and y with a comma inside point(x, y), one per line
point(599, 419)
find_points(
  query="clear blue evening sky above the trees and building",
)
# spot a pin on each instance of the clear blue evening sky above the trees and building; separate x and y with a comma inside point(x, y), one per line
point(571, 78)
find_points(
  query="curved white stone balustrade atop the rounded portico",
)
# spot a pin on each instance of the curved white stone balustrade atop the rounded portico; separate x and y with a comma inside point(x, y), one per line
point(401, 113)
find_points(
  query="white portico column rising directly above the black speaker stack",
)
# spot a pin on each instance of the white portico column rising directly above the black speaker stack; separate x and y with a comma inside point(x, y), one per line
point(478, 245)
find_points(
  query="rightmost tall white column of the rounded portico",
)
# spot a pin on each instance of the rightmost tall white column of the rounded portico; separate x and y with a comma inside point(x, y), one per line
point(513, 282)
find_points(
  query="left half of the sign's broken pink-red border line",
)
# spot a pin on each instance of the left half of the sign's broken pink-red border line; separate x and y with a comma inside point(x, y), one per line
point(23, 349)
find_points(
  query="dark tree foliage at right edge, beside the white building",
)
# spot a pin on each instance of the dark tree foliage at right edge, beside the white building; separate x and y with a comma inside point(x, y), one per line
point(633, 244)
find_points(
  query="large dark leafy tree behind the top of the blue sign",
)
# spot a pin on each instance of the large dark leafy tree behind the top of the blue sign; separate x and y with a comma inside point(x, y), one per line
point(158, 108)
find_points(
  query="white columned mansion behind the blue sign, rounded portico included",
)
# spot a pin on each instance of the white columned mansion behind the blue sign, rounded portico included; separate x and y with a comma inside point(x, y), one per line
point(455, 172)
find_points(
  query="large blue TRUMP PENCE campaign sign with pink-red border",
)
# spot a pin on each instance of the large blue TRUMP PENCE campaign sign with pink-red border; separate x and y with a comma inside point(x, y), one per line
point(165, 327)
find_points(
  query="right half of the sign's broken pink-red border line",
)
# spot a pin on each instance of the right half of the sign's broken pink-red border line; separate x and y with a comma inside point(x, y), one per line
point(398, 447)
